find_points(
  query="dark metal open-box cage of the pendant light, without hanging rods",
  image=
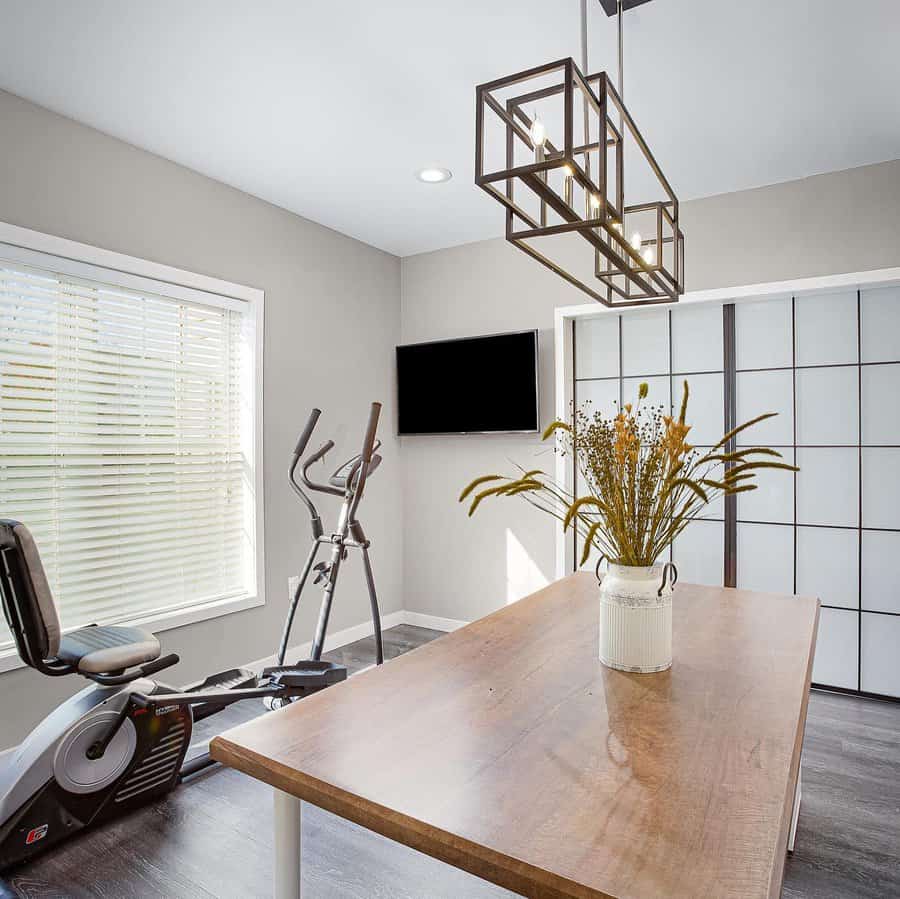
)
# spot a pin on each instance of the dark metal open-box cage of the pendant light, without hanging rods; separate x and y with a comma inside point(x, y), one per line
point(623, 276)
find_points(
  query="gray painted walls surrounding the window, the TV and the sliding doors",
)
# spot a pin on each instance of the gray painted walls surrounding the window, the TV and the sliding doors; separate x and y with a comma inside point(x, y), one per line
point(65, 179)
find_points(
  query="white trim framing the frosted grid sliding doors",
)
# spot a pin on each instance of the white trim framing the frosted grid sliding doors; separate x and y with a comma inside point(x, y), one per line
point(565, 316)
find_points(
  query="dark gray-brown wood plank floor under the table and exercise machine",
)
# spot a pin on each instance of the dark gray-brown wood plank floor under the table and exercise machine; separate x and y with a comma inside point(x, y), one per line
point(211, 837)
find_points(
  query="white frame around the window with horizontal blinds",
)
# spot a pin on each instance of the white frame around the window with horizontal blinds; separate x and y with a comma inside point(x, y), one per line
point(175, 283)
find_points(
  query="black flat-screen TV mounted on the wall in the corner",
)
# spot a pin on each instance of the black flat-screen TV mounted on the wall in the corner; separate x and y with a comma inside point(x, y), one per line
point(473, 385)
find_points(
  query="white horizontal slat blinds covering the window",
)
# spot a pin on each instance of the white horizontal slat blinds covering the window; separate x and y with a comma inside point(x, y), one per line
point(121, 443)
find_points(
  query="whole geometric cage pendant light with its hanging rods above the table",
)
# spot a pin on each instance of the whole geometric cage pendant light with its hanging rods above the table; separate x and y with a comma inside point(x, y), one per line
point(583, 194)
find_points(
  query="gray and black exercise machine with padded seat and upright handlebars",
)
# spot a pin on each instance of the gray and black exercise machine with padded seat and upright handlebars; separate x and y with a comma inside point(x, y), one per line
point(122, 742)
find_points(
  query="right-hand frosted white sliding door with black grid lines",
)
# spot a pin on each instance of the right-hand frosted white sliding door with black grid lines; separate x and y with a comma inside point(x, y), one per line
point(829, 363)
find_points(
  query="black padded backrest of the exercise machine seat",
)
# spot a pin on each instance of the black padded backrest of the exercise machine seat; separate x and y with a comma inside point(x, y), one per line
point(28, 604)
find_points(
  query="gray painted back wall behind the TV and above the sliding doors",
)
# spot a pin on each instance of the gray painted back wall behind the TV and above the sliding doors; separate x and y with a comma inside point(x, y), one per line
point(828, 224)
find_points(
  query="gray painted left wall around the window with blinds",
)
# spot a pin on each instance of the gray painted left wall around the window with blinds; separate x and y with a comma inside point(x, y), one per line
point(332, 320)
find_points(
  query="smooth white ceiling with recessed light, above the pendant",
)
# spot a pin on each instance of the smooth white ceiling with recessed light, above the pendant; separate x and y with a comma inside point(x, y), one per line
point(328, 109)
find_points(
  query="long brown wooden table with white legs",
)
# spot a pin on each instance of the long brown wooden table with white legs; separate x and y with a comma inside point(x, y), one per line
point(507, 750)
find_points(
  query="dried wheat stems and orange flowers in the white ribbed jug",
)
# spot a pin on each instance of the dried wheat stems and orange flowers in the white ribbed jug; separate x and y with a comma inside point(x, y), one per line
point(646, 482)
